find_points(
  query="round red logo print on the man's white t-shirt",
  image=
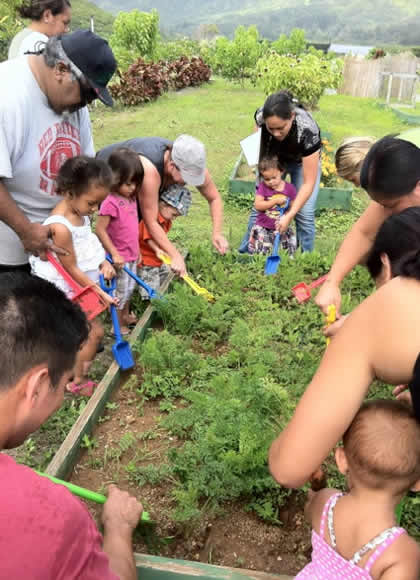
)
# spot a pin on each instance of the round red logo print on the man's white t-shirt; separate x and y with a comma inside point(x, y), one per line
point(59, 143)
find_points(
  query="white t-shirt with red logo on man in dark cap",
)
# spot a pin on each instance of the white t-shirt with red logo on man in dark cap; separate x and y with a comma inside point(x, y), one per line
point(34, 143)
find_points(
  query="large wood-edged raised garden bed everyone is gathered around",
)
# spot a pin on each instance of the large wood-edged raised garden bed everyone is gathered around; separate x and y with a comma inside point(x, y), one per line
point(188, 431)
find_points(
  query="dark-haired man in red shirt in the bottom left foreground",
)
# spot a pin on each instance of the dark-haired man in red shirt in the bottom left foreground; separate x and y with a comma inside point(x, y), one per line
point(46, 533)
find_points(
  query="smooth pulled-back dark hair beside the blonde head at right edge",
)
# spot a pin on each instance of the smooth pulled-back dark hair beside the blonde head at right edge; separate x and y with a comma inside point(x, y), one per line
point(391, 168)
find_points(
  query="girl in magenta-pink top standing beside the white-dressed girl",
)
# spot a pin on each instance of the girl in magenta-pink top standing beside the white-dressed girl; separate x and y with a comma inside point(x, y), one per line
point(118, 226)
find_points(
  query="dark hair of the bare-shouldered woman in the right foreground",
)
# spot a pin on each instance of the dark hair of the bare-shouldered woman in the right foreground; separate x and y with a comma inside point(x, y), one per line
point(398, 238)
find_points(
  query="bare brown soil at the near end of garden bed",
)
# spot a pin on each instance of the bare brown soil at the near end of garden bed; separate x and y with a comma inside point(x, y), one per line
point(234, 537)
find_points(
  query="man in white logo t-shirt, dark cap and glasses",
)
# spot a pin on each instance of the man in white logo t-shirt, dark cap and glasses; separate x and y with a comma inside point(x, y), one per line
point(43, 122)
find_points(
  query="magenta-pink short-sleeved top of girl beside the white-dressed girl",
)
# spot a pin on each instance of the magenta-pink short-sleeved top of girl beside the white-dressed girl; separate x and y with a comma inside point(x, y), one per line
point(123, 228)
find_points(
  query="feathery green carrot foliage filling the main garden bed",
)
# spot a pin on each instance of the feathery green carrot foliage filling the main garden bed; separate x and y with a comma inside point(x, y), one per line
point(234, 371)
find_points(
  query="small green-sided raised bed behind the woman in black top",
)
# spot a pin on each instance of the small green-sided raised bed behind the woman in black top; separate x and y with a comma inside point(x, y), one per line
point(242, 181)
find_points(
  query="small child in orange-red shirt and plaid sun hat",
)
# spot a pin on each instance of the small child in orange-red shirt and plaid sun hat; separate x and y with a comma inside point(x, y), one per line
point(173, 202)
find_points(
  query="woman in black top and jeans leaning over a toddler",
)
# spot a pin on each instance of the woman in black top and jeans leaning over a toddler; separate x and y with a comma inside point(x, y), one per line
point(290, 132)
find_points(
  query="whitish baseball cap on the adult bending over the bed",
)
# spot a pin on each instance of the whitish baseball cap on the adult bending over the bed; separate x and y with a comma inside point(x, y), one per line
point(189, 155)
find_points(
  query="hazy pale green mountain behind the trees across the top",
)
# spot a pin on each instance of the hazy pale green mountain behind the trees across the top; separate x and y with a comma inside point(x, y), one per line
point(357, 21)
